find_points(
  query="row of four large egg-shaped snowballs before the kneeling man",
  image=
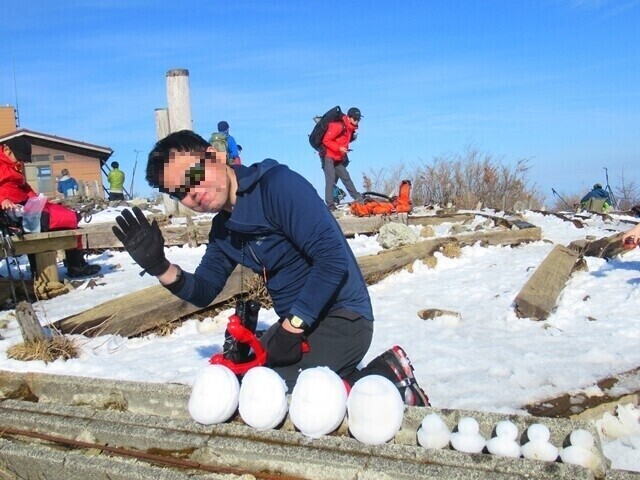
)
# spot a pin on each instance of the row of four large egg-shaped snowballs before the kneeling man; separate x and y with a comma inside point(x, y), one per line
point(318, 402)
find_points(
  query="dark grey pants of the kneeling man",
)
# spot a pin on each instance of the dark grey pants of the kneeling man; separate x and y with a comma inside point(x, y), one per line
point(335, 341)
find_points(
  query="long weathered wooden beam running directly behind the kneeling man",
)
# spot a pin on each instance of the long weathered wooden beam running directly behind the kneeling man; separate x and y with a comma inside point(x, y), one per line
point(153, 306)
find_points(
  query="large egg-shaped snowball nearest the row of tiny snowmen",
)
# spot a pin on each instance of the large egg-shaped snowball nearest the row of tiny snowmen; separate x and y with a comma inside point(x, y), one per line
point(375, 410)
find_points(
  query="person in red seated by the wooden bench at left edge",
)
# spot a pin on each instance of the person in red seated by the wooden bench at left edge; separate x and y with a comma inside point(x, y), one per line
point(14, 191)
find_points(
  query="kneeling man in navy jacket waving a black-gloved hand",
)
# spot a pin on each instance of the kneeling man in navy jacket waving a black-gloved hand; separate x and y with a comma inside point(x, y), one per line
point(271, 220)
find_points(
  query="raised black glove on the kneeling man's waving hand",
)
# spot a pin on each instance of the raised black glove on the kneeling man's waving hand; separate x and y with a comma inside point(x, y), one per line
point(142, 240)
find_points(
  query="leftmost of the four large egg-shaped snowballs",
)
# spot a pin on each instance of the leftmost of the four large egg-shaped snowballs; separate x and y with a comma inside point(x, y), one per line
point(214, 396)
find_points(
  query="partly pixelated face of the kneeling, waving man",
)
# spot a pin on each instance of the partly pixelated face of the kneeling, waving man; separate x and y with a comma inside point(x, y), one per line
point(203, 175)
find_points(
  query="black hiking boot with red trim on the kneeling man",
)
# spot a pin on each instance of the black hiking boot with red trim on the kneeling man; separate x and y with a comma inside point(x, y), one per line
point(396, 366)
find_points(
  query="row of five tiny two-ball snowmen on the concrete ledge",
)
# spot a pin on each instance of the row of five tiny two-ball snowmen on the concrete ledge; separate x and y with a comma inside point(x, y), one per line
point(434, 434)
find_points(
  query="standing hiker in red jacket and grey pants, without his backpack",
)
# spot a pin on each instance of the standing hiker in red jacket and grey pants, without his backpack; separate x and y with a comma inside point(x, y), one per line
point(336, 141)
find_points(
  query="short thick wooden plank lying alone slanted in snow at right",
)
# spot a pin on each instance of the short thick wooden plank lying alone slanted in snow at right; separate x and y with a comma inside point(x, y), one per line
point(539, 295)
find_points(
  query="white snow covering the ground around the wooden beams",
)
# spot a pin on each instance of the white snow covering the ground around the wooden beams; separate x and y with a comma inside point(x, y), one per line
point(488, 359)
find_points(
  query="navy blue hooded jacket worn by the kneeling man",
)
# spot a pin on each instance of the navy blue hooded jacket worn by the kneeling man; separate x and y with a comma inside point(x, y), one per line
point(281, 229)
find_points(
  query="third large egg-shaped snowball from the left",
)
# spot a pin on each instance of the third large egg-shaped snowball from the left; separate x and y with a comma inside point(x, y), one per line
point(318, 402)
